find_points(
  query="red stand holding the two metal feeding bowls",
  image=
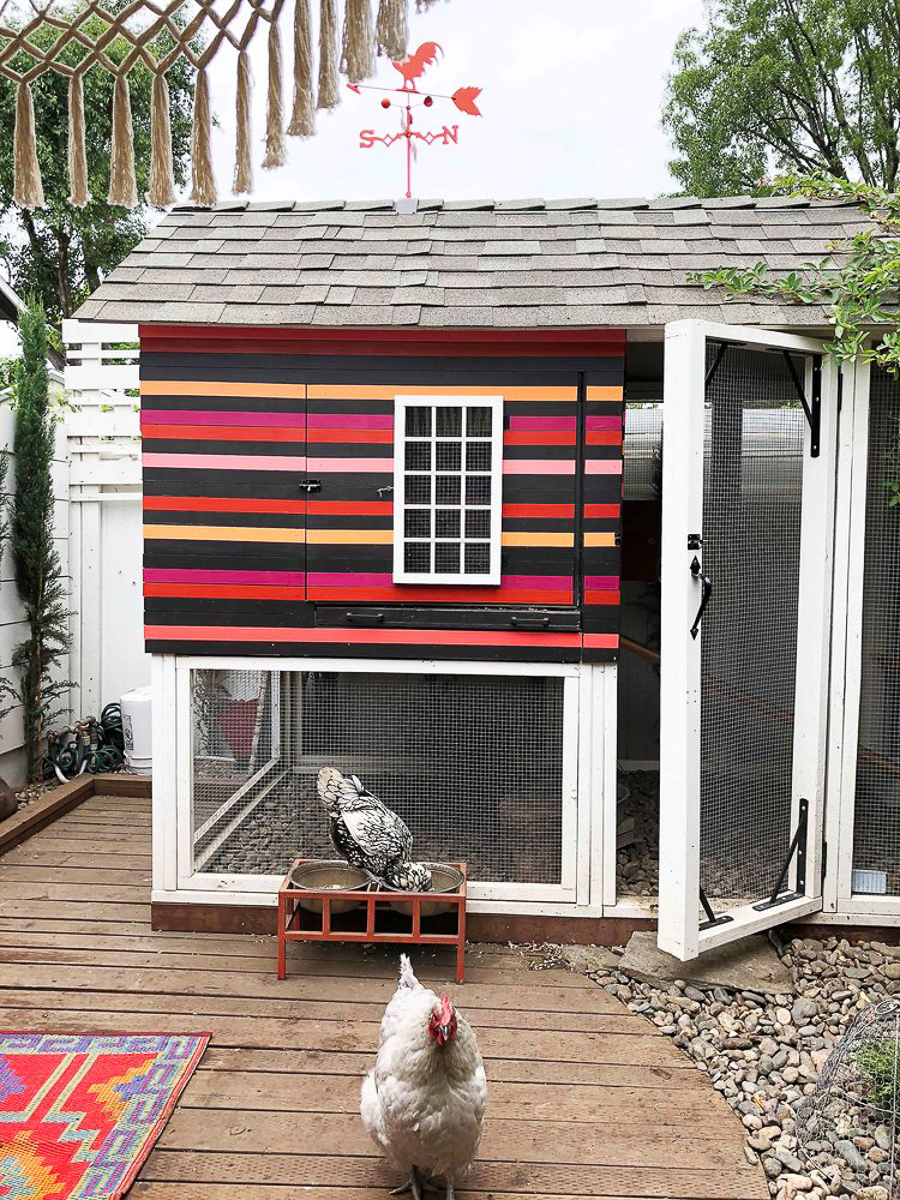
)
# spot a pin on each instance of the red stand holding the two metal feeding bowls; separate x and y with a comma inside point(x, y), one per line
point(297, 925)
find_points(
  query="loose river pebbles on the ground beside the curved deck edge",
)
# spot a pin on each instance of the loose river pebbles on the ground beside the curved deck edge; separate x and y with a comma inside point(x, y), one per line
point(765, 1054)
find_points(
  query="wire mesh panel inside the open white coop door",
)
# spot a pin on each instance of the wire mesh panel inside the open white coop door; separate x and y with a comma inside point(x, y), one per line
point(754, 439)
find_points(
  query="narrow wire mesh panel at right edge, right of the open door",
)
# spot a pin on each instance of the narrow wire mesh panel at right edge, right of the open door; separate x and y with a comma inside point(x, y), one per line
point(877, 830)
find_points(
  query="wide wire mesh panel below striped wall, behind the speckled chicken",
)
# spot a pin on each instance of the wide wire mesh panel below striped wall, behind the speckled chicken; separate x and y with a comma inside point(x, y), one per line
point(472, 764)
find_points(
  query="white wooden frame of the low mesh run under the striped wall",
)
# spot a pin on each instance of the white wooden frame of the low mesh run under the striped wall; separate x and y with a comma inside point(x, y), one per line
point(589, 783)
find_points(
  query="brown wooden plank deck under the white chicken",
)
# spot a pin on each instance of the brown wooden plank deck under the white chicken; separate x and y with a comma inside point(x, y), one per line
point(586, 1100)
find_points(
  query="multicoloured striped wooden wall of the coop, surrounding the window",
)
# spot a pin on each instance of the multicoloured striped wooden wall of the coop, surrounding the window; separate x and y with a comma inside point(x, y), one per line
point(238, 560)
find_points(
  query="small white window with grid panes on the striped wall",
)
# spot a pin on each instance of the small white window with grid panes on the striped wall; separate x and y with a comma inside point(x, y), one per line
point(447, 491)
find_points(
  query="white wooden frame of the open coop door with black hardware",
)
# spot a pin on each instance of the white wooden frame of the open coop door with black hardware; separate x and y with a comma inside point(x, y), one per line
point(685, 391)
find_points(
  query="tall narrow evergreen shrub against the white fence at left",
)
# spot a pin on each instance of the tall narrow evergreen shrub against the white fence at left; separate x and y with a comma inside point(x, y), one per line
point(39, 575)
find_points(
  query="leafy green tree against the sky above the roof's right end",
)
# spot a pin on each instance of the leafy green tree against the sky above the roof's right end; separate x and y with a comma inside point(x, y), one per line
point(787, 86)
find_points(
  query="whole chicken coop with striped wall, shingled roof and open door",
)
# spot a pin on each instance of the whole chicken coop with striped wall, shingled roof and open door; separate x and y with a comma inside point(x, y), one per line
point(587, 575)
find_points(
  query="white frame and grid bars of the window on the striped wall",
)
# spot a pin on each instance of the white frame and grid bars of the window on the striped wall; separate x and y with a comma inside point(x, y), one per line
point(487, 579)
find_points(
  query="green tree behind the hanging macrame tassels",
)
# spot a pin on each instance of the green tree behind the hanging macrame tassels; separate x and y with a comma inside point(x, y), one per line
point(61, 254)
